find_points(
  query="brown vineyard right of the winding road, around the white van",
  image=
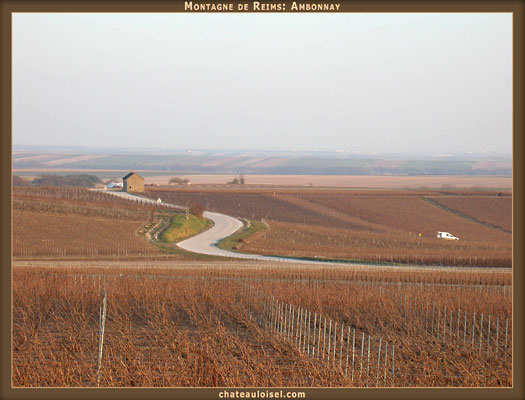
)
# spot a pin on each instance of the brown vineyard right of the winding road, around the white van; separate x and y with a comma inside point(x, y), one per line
point(395, 226)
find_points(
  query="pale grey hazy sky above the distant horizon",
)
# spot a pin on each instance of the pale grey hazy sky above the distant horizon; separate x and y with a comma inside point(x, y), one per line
point(360, 82)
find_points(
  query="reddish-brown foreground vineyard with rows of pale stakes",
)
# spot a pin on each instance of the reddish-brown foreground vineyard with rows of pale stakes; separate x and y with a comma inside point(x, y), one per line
point(216, 326)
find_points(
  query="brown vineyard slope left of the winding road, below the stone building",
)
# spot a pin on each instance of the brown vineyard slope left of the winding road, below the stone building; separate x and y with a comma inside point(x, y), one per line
point(71, 222)
